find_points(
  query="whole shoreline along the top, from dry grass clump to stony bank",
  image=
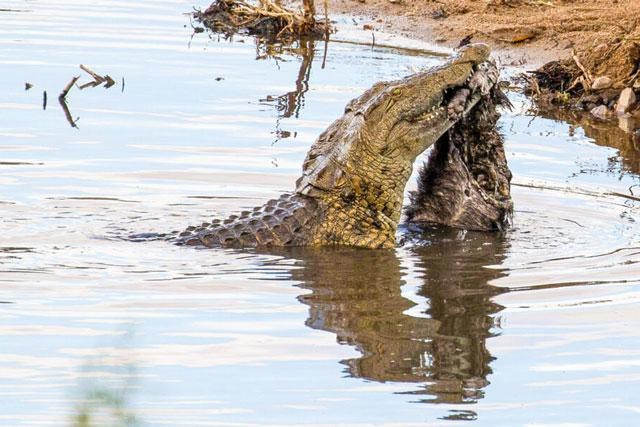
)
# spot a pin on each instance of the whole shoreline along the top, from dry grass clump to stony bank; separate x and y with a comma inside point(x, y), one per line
point(581, 55)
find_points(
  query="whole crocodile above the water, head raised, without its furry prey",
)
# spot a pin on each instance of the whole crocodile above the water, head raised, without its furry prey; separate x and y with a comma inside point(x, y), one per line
point(353, 180)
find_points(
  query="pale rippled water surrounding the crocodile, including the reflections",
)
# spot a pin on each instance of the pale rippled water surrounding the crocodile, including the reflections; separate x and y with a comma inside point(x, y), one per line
point(535, 326)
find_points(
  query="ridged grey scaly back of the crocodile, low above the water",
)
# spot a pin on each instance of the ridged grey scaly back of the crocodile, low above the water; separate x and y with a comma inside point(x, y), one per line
point(286, 221)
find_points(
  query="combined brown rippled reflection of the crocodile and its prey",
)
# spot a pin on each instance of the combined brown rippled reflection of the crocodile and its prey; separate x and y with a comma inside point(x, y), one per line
point(358, 296)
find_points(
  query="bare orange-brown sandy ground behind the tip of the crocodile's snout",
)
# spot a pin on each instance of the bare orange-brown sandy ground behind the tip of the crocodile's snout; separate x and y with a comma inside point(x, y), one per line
point(548, 29)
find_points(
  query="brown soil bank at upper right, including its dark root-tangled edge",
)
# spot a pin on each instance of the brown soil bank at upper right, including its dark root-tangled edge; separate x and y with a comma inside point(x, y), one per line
point(577, 41)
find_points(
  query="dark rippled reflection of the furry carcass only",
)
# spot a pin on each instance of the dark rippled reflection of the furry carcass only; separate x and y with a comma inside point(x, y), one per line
point(456, 283)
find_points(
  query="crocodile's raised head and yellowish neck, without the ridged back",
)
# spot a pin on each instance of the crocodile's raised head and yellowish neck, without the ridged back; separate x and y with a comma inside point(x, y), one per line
point(360, 165)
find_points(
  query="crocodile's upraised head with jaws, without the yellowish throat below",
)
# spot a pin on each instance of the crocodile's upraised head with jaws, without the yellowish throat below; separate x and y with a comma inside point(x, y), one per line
point(393, 122)
